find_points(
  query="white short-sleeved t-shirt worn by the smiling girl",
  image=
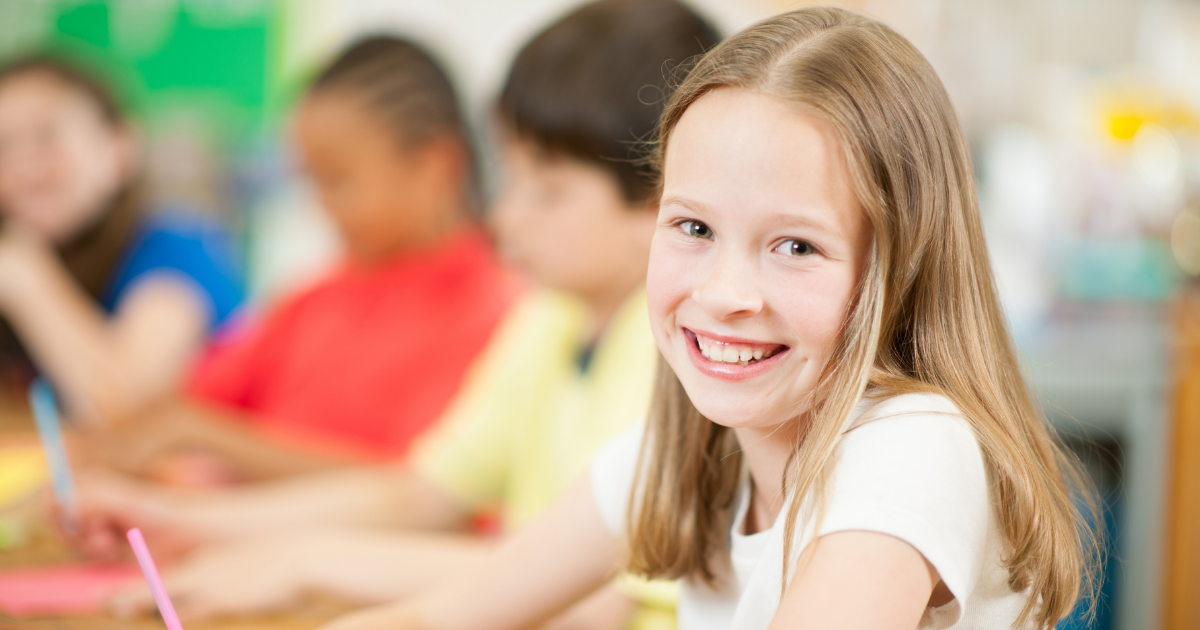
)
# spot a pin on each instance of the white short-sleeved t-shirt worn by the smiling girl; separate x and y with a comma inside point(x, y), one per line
point(908, 466)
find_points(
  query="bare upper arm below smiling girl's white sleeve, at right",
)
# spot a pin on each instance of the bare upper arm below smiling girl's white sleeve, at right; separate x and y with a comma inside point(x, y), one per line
point(859, 581)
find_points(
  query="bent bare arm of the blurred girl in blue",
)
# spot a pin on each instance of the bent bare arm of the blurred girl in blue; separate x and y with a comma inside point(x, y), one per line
point(107, 368)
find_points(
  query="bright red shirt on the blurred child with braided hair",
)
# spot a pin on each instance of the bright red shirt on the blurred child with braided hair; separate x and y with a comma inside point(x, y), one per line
point(369, 358)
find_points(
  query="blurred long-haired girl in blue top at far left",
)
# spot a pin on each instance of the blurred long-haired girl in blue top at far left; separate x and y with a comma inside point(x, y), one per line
point(109, 299)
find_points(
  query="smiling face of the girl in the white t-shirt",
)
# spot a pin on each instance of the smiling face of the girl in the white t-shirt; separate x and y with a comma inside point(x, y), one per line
point(760, 247)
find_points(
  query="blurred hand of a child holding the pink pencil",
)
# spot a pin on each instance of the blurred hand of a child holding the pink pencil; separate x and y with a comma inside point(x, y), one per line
point(250, 577)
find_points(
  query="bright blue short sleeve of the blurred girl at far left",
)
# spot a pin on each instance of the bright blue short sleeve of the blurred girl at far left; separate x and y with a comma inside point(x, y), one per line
point(187, 245)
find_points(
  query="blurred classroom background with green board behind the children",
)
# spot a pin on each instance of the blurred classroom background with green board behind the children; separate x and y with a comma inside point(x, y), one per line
point(1084, 122)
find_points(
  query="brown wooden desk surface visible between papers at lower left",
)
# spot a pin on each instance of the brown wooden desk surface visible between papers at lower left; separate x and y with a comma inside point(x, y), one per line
point(49, 549)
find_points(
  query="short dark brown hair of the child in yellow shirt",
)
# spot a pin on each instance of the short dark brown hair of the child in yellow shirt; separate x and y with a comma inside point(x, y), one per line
point(592, 87)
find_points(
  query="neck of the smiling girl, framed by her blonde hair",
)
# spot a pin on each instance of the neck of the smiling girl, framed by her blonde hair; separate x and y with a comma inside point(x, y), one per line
point(767, 452)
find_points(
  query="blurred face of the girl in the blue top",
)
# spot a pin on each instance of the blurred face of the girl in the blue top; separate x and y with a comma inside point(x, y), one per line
point(61, 161)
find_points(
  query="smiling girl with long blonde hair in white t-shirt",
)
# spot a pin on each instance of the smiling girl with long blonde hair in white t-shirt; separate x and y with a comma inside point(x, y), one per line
point(841, 436)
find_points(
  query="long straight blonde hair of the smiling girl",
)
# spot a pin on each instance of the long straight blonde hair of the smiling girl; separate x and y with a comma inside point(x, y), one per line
point(927, 317)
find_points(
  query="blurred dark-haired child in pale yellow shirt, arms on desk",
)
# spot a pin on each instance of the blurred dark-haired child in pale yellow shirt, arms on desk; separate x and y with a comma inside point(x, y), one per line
point(571, 369)
